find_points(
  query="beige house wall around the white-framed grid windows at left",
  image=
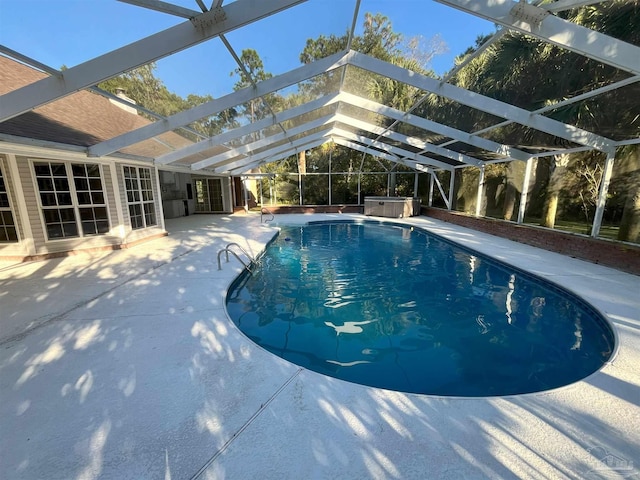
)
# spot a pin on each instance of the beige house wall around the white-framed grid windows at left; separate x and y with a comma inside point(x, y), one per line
point(27, 209)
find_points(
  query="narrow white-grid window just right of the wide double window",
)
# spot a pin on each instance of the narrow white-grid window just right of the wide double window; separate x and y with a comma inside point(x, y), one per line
point(139, 186)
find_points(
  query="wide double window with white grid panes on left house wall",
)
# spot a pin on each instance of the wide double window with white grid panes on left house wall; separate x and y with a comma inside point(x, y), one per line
point(64, 201)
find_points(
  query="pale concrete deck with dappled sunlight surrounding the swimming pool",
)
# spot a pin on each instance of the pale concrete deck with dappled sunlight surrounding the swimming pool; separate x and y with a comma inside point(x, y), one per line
point(124, 365)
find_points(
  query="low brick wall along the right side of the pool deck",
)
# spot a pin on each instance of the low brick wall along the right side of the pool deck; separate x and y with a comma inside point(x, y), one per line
point(618, 255)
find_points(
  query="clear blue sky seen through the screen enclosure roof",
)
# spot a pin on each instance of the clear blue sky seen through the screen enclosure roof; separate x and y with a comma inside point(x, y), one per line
point(69, 32)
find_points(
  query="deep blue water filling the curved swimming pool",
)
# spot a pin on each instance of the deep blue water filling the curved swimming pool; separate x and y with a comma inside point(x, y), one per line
point(399, 308)
